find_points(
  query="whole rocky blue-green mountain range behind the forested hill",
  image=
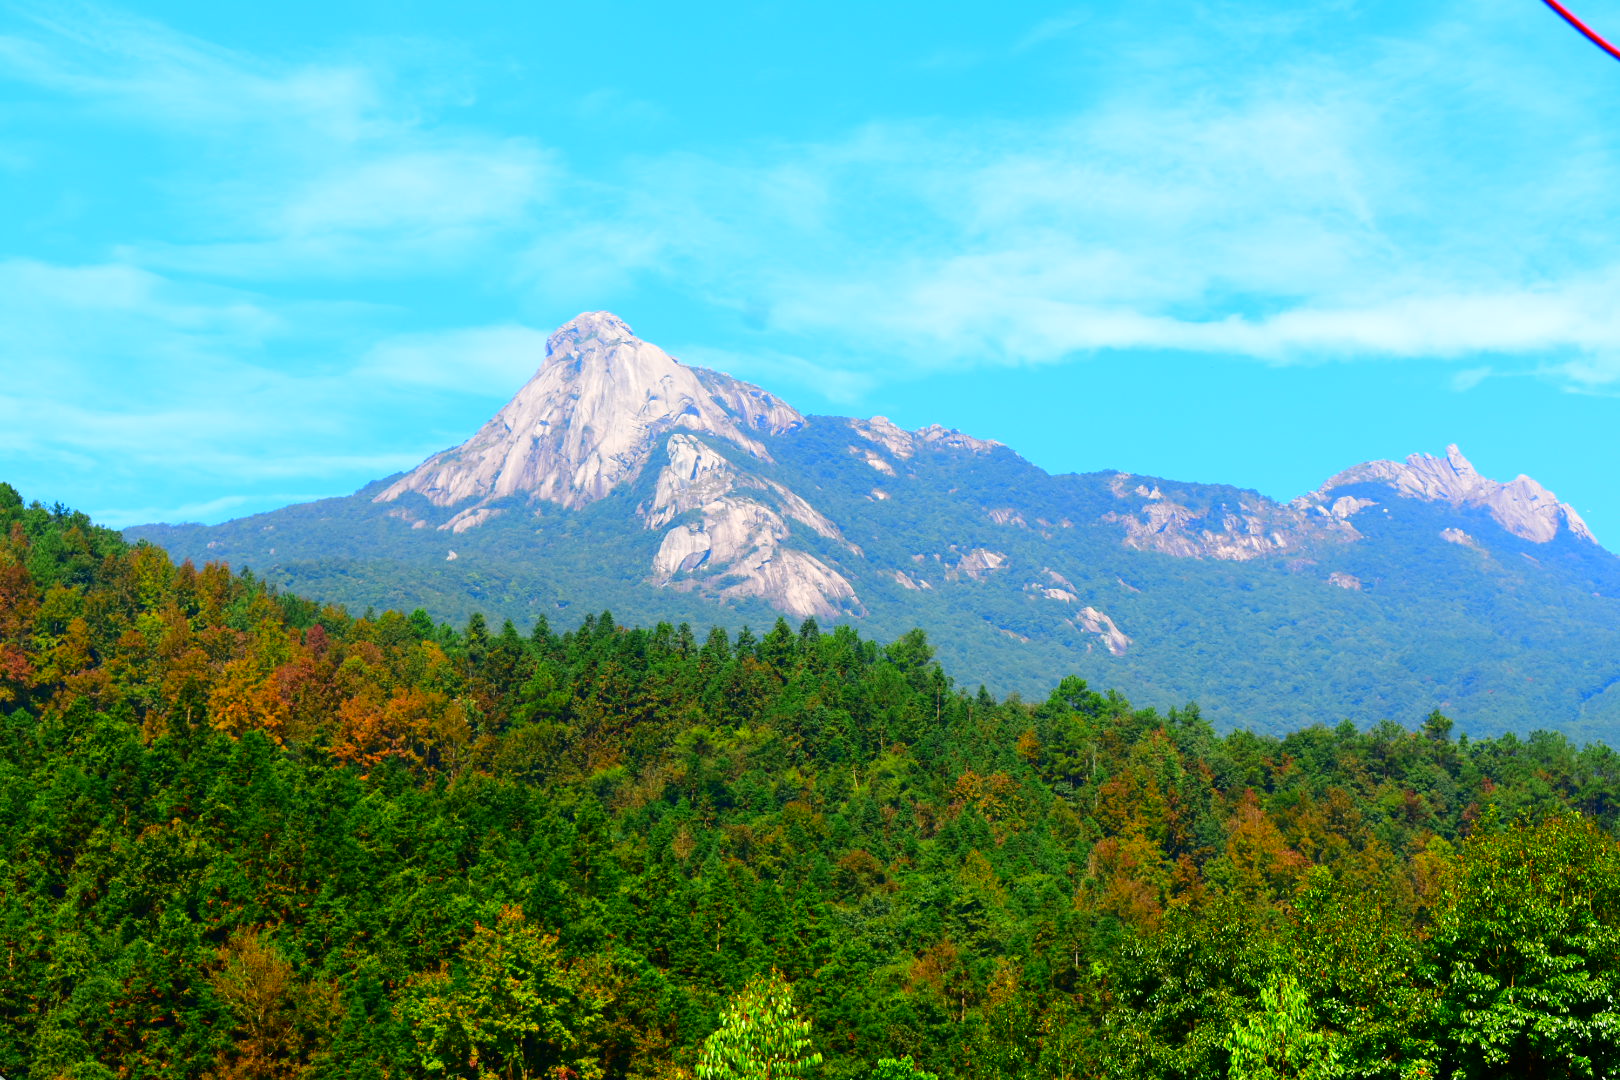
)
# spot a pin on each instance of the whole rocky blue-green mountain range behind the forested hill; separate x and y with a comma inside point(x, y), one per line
point(620, 478)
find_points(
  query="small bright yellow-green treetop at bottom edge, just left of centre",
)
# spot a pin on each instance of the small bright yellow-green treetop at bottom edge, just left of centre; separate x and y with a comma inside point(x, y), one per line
point(761, 1037)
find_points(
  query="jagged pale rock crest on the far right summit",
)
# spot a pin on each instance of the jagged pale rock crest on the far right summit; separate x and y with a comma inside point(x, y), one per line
point(1520, 506)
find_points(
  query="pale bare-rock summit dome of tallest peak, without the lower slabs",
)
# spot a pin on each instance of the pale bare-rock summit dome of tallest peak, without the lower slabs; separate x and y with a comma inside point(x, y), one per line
point(590, 420)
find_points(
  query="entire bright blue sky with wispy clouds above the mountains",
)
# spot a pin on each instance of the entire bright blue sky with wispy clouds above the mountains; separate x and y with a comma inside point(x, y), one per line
point(260, 253)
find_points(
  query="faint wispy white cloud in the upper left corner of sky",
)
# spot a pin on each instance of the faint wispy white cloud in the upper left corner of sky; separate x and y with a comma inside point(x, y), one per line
point(313, 169)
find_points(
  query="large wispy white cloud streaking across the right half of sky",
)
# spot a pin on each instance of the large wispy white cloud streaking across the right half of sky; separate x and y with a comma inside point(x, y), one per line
point(1294, 216)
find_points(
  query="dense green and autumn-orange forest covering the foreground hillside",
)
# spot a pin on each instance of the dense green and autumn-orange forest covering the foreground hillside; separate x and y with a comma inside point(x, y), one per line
point(249, 836)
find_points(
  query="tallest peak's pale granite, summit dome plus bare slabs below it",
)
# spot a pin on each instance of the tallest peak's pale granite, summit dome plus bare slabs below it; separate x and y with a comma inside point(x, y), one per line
point(595, 415)
